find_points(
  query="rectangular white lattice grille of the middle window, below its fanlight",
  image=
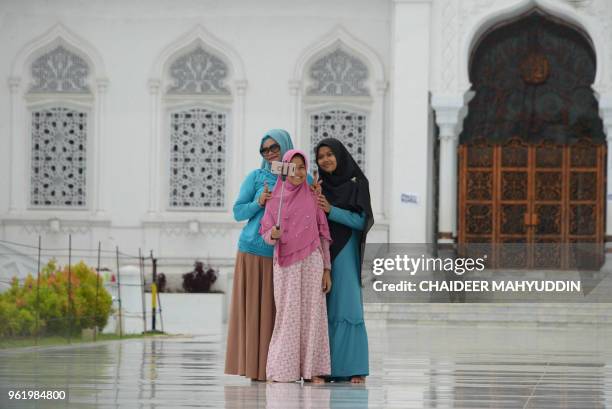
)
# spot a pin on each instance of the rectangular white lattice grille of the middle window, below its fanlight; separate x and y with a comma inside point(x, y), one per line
point(197, 159)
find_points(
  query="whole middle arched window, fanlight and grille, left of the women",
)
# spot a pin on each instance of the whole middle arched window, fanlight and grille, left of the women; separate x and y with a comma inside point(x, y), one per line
point(197, 105)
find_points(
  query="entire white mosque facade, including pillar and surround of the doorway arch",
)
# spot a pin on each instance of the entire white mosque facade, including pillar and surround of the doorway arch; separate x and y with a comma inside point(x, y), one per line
point(416, 53)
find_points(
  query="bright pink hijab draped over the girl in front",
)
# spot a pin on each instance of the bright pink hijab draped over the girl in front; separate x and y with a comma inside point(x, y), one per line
point(302, 221)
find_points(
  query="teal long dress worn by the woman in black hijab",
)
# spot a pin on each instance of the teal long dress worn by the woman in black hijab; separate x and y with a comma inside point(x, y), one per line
point(347, 333)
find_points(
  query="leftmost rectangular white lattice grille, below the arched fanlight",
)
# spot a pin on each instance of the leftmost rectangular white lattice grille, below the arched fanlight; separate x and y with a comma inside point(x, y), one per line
point(59, 158)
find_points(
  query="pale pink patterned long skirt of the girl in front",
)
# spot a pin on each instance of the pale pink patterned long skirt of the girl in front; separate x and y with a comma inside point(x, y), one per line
point(299, 347)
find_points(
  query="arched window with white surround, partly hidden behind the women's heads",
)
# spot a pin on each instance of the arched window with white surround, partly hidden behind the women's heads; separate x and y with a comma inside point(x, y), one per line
point(338, 88)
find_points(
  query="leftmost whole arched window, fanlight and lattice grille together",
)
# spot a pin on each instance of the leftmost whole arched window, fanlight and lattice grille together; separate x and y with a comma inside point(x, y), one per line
point(59, 129)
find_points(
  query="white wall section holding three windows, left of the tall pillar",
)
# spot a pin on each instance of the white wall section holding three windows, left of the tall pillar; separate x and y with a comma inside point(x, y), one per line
point(129, 41)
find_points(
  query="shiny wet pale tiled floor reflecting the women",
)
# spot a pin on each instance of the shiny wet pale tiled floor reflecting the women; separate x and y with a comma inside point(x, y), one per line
point(411, 367)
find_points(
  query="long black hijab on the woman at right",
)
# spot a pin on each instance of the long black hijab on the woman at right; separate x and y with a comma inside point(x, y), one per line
point(349, 189)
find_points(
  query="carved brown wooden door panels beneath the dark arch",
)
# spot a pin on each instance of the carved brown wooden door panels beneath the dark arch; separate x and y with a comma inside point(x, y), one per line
point(515, 195)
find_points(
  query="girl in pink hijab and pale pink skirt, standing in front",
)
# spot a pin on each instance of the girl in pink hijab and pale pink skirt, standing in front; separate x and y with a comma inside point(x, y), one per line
point(299, 347)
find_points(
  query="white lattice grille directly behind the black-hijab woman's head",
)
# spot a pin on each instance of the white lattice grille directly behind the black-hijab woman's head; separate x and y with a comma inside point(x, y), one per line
point(348, 127)
